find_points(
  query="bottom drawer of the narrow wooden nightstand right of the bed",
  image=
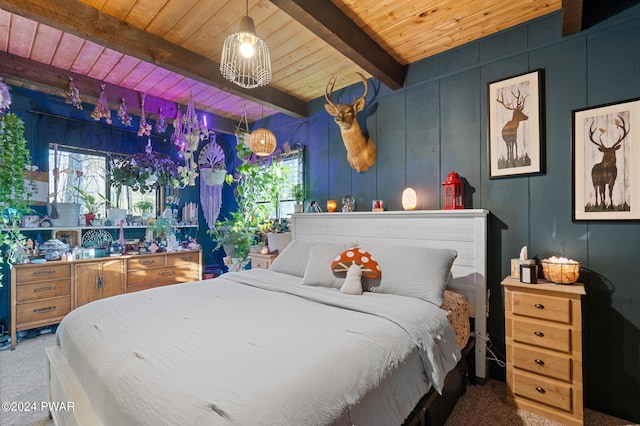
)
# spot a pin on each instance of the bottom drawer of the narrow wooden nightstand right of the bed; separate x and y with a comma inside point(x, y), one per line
point(546, 391)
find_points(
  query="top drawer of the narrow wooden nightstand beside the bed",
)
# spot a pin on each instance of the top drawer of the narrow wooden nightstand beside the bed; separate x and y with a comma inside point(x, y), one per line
point(540, 306)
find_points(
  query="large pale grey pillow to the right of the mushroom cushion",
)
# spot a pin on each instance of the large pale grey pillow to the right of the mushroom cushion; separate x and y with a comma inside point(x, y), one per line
point(411, 271)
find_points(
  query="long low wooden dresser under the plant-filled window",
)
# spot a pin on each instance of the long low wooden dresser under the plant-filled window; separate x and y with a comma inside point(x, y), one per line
point(42, 294)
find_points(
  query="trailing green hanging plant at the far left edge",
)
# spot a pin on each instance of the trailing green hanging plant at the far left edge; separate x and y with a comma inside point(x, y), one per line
point(14, 196)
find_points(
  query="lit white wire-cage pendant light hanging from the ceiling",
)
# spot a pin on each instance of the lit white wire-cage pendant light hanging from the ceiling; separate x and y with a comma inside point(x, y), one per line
point(245, 57)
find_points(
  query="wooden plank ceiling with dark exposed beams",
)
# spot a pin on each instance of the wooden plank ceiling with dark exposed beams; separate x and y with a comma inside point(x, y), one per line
point(171, 48)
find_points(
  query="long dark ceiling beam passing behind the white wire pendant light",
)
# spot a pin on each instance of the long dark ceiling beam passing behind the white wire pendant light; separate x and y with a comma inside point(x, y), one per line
point(87, 22)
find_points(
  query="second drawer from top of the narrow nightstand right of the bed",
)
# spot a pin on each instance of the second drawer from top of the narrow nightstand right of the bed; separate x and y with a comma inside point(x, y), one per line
point(543, 334)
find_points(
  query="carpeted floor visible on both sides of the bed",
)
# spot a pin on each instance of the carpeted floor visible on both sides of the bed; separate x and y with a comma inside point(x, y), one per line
point(23, 379)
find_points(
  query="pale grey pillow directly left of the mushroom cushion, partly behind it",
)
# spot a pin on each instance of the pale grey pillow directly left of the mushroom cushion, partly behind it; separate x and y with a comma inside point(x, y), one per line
point(318, 271)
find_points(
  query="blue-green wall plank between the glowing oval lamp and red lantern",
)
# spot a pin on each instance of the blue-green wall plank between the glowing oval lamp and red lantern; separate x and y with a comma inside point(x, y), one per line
point(423, 144)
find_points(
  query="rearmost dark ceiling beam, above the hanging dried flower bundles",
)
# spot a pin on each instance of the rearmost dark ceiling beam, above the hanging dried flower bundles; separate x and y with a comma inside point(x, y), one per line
point(54, 81)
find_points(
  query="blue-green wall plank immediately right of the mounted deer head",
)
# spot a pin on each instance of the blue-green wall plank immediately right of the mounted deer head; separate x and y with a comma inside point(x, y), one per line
point(391, 140)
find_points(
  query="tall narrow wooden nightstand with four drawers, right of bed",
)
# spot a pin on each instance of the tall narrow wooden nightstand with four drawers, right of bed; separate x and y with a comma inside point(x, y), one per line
point(543, 331)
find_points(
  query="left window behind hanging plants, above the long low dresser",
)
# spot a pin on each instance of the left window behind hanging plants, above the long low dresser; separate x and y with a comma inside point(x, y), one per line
point(89, 171)
